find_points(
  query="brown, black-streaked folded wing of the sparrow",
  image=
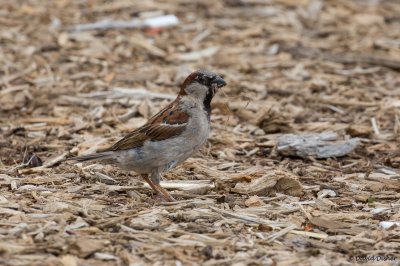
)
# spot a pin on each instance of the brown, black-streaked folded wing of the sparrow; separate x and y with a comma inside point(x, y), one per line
point(168, 123)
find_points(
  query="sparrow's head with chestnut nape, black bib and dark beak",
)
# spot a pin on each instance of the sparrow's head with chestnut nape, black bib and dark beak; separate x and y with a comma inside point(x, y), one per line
point(202, 85)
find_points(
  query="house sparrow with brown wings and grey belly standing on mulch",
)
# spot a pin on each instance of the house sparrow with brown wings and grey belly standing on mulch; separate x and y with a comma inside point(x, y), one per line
point(169, 137)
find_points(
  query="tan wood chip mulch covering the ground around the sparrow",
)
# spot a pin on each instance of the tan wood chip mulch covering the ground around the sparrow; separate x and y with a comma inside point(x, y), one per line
point(292, 67)
